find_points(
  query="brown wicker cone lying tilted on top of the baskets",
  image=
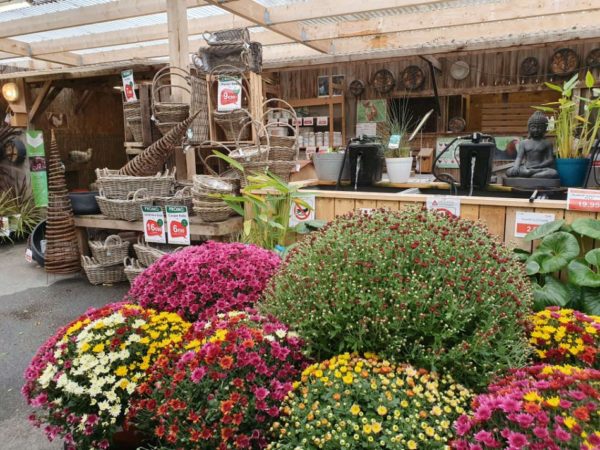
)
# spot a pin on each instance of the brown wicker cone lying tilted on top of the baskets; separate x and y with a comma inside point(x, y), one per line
point(152, 159)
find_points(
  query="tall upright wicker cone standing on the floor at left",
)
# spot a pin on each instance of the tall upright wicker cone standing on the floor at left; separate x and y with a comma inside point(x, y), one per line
point(62, 251)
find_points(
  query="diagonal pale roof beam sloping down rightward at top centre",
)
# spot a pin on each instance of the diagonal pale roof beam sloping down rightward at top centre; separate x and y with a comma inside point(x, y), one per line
point(255, 12)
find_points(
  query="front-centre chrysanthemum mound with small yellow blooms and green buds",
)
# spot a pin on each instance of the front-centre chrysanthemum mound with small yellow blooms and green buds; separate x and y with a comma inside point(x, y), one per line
point(354, 402)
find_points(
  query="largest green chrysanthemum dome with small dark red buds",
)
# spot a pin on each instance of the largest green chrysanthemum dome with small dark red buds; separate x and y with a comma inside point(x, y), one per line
point(414, 286)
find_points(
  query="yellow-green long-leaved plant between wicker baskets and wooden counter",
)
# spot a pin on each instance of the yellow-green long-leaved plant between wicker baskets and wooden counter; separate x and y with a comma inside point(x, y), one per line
point(267, 214)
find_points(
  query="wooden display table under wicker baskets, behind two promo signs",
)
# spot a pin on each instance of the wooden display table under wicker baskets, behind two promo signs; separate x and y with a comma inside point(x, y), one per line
point(198, 228)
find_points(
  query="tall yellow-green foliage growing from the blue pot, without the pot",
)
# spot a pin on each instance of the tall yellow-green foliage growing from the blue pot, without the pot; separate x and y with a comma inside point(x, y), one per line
point(575, 132)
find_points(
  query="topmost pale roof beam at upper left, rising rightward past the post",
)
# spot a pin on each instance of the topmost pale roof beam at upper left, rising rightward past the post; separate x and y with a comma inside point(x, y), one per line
point(116, 10)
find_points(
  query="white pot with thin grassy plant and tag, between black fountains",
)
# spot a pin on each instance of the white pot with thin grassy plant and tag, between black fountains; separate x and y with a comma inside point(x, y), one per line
point(397, 155)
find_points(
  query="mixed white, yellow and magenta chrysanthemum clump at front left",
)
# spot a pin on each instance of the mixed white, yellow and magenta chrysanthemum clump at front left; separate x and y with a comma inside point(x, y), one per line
point(82, 378)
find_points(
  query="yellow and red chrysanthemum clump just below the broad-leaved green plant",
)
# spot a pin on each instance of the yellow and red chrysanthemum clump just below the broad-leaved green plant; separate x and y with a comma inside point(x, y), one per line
point(566, 336)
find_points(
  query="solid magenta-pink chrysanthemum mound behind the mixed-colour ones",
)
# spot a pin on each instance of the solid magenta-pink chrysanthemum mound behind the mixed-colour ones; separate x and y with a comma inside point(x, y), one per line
point(201, 281)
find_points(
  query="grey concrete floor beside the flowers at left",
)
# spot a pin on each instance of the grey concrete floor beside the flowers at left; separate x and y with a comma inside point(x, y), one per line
point(32, 306)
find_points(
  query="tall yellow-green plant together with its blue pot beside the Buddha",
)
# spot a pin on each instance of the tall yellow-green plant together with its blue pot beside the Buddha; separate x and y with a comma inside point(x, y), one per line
point(575, 132)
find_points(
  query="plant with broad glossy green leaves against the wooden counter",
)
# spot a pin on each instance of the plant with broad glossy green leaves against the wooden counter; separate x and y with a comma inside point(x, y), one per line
point(563, 249)
